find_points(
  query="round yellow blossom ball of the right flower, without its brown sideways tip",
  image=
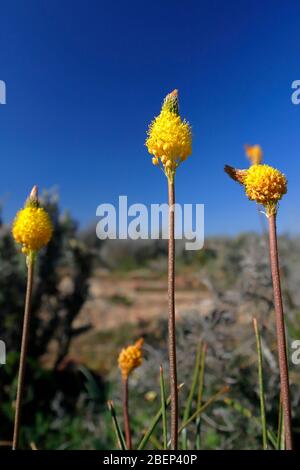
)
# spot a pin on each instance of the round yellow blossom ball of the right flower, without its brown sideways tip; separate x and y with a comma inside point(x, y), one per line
point(265, 184)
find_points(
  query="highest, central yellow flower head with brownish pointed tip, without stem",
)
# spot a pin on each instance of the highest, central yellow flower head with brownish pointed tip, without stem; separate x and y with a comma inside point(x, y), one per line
point(169, 137)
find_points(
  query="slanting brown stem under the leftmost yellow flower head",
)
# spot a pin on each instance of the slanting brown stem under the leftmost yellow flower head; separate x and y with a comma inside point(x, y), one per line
point(24, 346)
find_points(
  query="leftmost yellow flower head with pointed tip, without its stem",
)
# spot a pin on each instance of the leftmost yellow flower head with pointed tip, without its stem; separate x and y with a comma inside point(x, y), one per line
point(32, 227)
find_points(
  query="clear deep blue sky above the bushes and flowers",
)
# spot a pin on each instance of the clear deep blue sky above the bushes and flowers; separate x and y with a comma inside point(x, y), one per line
point(84, 78)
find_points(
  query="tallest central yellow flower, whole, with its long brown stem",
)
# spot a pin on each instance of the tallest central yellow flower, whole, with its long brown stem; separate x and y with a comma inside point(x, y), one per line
point(170, 142)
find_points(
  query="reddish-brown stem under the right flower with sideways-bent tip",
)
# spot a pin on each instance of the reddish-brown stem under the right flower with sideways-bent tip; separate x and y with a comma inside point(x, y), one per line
point(280, 328)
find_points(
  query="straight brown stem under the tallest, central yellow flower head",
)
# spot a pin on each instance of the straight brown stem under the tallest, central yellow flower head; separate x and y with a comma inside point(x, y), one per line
point(171, 318)
